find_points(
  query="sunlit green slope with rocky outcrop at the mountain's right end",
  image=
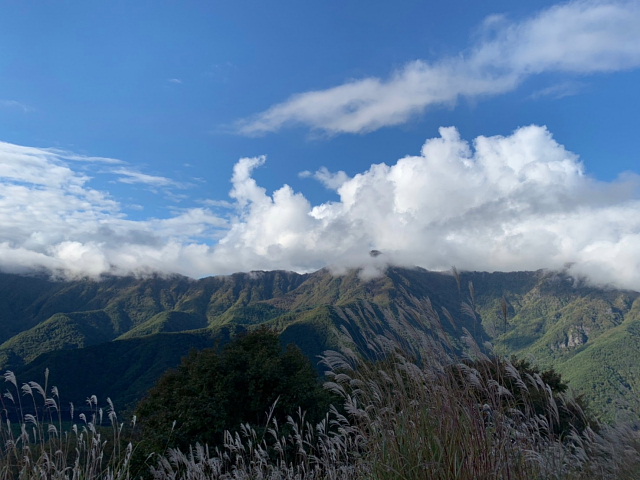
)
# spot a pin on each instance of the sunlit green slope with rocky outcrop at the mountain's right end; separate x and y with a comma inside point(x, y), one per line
point(590, 335)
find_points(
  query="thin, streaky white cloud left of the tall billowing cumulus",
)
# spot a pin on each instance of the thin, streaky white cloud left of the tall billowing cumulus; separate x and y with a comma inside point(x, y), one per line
point(51, 219)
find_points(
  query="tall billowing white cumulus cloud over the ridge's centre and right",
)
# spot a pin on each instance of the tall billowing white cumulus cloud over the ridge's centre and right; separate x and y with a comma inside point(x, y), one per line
point(506, 203)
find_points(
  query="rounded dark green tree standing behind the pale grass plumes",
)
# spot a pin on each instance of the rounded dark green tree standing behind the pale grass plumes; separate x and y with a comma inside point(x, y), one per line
point(212, 391)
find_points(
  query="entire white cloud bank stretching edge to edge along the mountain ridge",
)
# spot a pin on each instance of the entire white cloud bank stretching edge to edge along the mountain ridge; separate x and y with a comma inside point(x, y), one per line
point(514, 202)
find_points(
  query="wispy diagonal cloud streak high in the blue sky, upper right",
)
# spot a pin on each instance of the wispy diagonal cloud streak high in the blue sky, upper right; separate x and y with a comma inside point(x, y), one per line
point(579, 37)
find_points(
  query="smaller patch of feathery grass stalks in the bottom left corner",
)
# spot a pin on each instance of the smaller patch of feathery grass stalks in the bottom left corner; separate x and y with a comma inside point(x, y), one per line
point(36, 443)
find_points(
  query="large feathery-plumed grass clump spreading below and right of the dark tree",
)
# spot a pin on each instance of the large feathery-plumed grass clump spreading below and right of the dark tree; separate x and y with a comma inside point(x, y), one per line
point(413, 413)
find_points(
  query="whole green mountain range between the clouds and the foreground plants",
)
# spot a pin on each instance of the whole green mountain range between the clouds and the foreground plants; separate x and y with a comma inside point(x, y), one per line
point(116, 336)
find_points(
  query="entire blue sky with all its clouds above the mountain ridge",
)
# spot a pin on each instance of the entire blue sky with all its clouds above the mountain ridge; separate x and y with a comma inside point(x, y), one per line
point(211, 137)
